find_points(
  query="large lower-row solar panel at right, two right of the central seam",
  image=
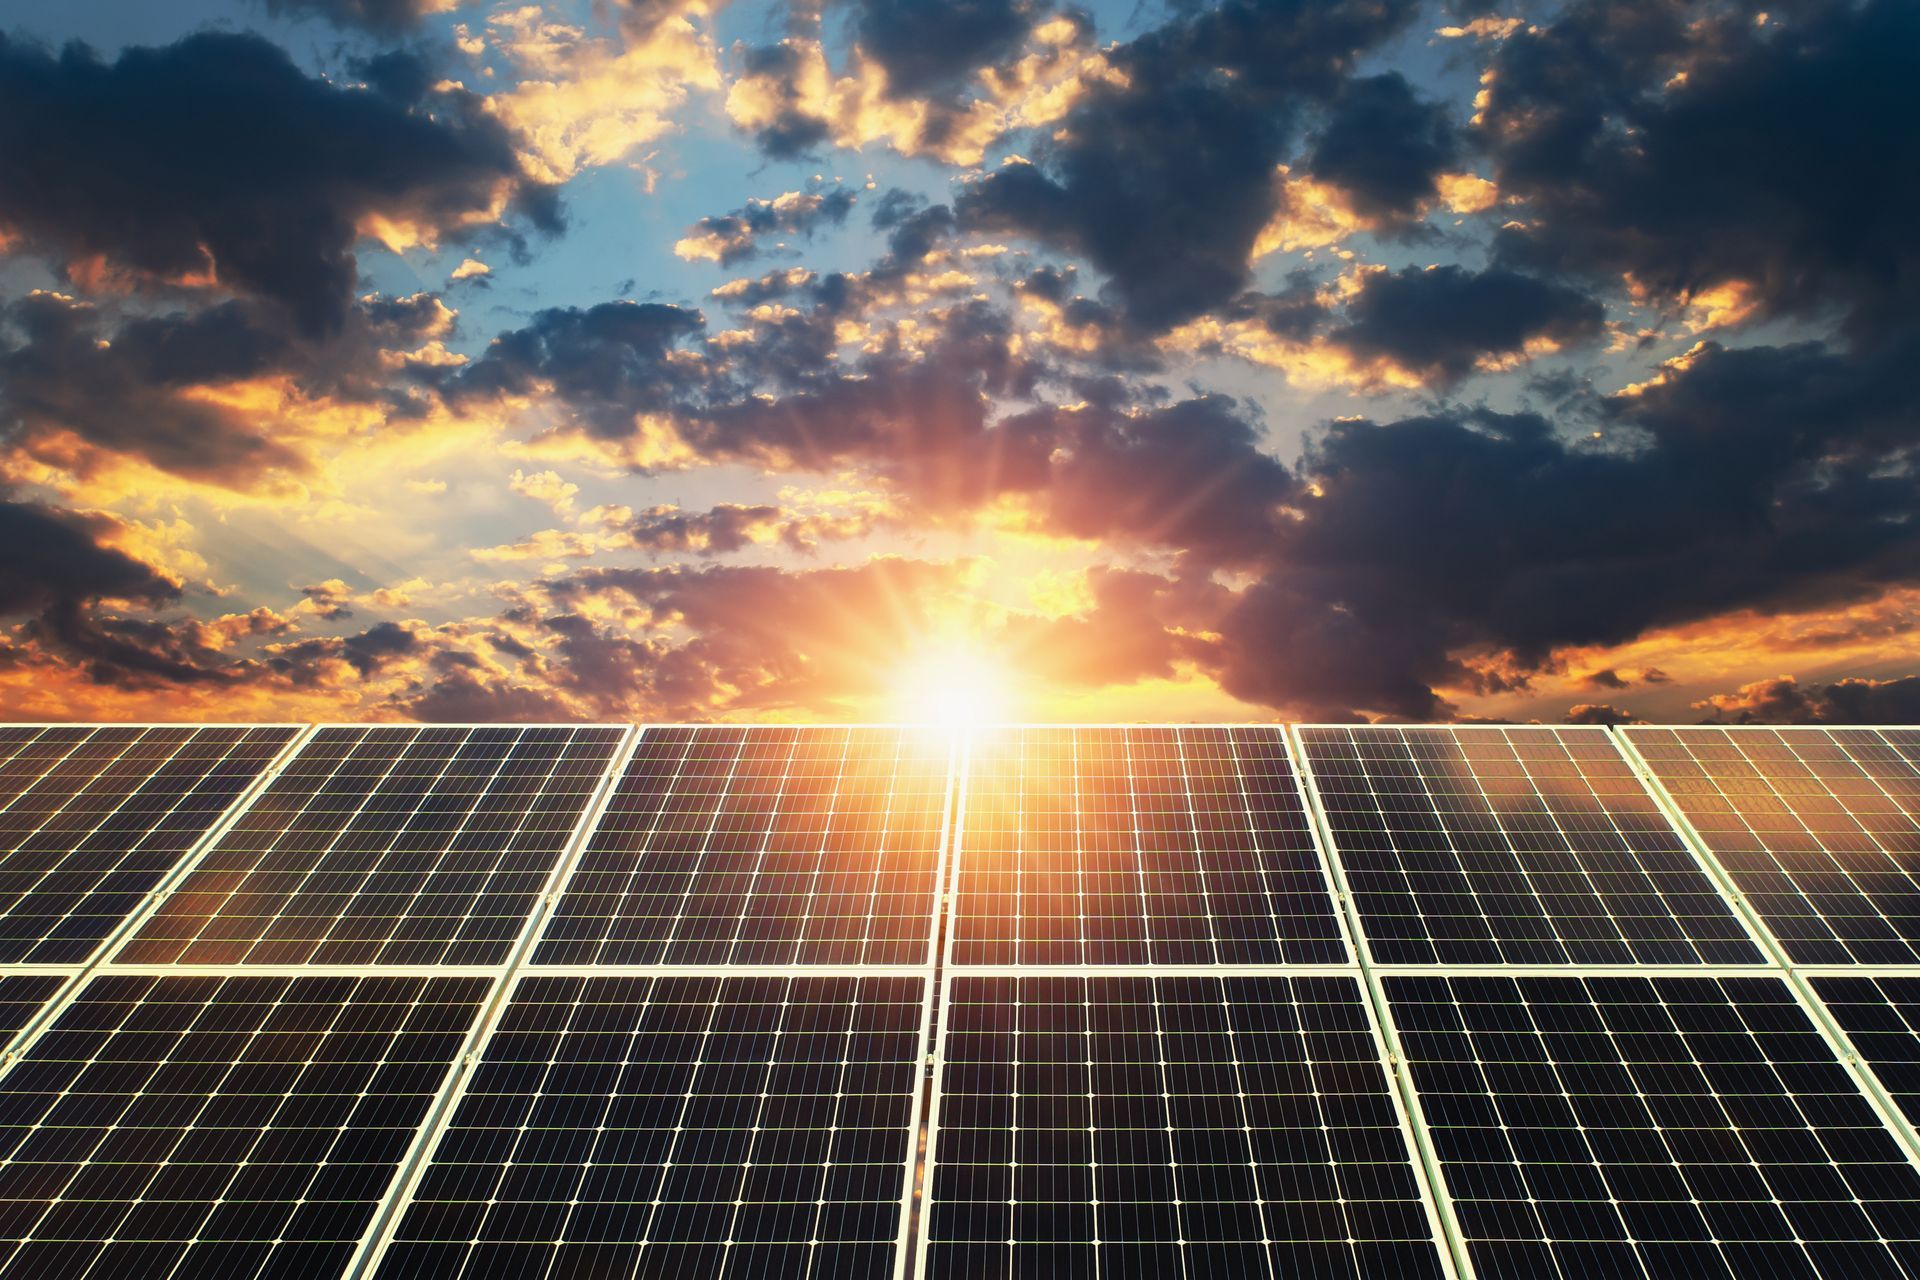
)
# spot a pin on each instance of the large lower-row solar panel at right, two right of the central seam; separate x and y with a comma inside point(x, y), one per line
point(1652, 1127)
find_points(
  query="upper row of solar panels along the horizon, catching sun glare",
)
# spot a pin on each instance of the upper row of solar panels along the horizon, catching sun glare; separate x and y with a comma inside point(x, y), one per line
point(1149, 845)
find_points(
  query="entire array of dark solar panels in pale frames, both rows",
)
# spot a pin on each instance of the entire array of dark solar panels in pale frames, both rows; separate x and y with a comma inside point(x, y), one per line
point(888, 1003)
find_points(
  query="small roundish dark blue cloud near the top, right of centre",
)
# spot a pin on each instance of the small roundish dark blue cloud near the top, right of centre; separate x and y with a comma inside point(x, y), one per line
point(1383, 147)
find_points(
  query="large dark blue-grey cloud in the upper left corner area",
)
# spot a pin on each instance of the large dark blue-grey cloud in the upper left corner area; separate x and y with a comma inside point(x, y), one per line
point(220, 156)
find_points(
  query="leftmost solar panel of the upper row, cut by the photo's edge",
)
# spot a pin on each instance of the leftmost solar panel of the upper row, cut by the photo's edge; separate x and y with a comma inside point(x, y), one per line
point(95, 817)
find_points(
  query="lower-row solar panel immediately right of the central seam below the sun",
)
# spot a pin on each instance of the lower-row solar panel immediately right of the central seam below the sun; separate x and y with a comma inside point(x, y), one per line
point(1170, 1127)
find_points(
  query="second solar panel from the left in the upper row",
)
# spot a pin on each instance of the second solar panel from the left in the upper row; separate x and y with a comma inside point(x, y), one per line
point(387, 845)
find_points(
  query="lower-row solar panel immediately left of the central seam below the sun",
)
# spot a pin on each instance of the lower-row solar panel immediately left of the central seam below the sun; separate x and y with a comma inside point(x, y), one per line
point(679, 1127)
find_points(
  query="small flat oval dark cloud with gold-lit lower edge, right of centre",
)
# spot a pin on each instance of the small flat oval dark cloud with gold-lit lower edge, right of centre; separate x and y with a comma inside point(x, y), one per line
point(1439, 323)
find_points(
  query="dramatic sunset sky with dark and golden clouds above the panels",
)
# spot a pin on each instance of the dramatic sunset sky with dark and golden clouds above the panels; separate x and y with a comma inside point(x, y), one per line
point(869, 360)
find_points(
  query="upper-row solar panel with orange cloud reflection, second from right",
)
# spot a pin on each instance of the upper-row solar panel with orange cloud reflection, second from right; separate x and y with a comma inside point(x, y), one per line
point(1516, 845)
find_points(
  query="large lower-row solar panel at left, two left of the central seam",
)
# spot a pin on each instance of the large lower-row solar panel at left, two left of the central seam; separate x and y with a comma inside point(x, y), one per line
point(218, 1126)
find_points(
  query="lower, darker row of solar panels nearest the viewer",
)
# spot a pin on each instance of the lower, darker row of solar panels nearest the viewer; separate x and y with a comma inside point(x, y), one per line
point(1093, 1126)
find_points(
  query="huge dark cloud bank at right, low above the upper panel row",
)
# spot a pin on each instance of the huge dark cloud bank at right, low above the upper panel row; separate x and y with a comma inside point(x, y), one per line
point(1767, 479)
